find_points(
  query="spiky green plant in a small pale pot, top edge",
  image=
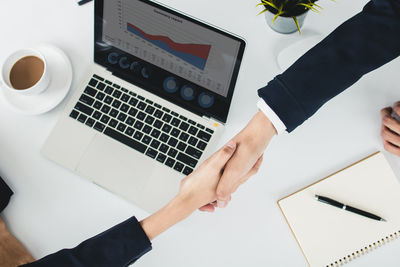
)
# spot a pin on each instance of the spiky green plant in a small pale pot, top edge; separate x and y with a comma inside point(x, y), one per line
point(287, 16)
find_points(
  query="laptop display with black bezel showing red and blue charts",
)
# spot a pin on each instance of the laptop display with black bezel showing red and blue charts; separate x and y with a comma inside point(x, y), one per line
point(183, 60)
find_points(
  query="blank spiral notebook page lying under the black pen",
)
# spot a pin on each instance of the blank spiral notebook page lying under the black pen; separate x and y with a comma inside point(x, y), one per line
point(329, 236)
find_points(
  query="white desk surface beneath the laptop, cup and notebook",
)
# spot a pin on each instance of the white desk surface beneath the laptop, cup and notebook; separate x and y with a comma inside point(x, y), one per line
point(53, 208)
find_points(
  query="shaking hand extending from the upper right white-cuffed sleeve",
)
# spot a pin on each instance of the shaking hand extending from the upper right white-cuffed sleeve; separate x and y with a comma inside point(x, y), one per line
point(251, 144)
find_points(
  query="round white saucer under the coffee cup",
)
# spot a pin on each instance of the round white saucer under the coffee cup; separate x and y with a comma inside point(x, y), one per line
point(60, 72)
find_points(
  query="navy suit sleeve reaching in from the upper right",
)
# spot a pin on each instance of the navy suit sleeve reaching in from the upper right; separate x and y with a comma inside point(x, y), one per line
point(363, 43)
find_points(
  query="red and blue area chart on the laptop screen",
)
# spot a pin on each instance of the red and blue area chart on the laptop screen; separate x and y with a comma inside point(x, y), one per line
point(165, 43)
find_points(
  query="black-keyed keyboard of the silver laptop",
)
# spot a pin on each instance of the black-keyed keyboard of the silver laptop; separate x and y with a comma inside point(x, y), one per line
point(141, 124)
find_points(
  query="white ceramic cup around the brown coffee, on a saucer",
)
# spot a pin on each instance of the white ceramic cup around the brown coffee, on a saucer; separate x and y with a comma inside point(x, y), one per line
point(8, 64)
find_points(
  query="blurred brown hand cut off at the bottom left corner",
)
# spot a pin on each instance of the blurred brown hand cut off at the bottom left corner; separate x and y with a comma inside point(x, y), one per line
point(12, 252)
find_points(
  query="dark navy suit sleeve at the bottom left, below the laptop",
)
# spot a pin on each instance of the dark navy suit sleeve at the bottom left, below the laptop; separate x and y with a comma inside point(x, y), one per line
point(119, 246)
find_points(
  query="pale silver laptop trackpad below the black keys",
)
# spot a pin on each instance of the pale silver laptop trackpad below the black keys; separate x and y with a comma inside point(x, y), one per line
point(116, 167)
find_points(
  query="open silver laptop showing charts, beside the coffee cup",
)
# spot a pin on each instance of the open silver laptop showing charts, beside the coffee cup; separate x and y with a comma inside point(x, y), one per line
point(153, 104)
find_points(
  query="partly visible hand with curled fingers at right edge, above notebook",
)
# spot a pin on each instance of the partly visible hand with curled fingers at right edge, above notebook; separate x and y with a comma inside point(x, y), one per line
point(390, 131)
